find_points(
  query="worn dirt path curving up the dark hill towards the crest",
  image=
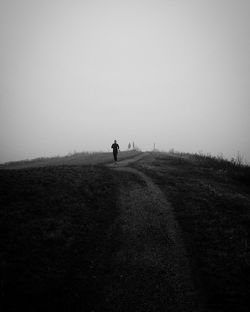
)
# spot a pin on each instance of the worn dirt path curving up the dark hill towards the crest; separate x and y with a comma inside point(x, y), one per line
point(152, 258)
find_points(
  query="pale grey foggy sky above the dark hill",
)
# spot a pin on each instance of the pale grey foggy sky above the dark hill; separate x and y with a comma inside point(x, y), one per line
point(75, 75)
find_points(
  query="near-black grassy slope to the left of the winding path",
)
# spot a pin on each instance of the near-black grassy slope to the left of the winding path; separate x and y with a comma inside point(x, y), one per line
point(55, 243)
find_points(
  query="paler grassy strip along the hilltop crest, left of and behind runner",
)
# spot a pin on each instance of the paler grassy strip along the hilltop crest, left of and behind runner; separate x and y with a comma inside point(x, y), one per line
point(84, 158)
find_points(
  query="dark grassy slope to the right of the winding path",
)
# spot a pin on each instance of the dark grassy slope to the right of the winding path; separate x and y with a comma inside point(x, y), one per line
point(211, 199)
